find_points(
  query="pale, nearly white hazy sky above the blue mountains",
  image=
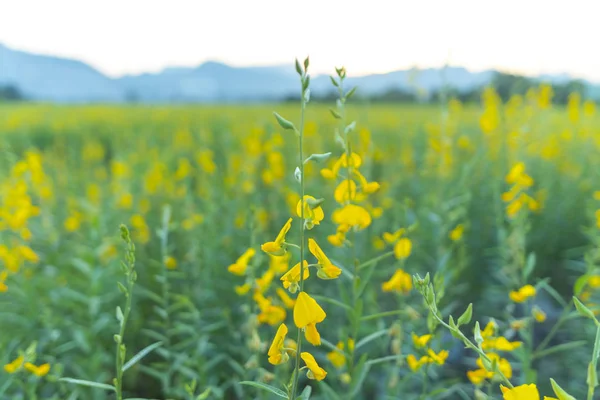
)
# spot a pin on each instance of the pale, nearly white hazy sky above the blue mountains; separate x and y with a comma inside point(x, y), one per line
point(131, 36)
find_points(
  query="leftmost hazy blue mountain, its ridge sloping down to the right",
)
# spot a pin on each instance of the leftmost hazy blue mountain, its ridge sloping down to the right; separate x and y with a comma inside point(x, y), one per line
point(41, 77)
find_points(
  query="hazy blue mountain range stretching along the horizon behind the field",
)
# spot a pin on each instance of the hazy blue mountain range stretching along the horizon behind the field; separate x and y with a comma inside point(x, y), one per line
point(47, 78)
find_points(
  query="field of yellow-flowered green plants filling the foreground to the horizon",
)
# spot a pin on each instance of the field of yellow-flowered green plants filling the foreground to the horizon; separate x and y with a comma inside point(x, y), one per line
point(330, 251)
